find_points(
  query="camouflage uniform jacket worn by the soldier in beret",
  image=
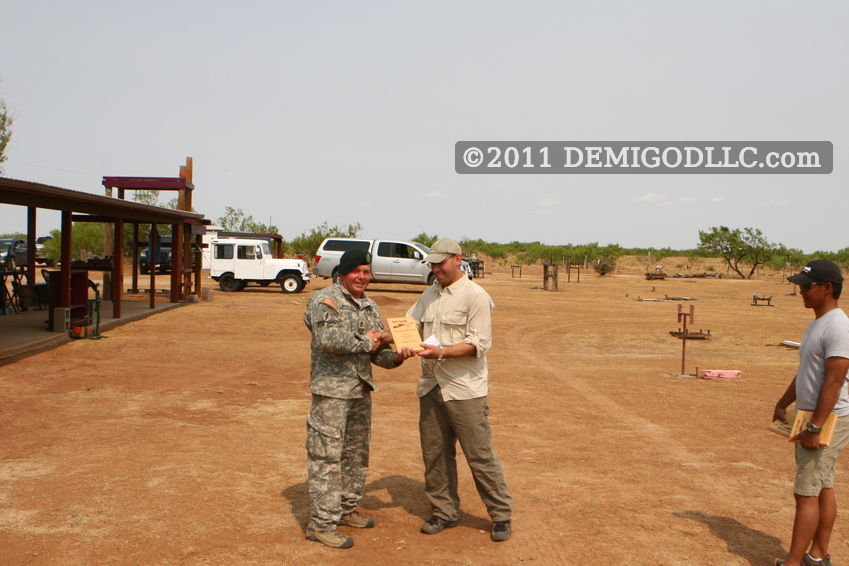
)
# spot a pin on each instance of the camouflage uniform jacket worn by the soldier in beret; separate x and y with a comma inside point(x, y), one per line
point(341, 357)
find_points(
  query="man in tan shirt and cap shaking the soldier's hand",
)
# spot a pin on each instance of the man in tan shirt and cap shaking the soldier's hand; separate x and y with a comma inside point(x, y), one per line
point(455, 317)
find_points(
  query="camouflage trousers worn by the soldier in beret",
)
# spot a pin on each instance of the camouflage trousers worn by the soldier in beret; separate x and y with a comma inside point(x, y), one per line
point(338, 434)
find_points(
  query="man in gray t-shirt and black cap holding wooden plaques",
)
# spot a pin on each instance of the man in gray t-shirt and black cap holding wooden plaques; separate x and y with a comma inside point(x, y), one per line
point(820, 386)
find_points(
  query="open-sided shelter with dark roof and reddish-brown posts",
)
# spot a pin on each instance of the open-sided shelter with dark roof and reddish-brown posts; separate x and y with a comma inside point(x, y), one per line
point(78, 206)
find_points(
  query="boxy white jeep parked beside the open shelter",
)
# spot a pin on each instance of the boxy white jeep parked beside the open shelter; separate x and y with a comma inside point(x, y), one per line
point(235, 262)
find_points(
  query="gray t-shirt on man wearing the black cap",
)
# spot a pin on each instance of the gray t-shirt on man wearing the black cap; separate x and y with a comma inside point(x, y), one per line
point(826, 337)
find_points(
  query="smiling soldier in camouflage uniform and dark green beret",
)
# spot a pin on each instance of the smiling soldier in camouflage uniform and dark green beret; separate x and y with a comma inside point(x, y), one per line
point(347, 337)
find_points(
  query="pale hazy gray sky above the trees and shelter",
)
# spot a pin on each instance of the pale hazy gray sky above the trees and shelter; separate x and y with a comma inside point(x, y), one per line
point(301, 112)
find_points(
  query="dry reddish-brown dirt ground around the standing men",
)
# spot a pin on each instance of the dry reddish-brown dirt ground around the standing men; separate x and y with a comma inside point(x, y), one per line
point(164, 446)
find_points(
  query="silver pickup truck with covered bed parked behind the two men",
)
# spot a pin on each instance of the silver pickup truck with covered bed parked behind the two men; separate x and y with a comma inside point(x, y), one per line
point(393, 261)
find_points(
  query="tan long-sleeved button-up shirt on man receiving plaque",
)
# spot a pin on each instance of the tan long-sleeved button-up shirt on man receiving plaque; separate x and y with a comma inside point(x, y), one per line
point(459, 313)
